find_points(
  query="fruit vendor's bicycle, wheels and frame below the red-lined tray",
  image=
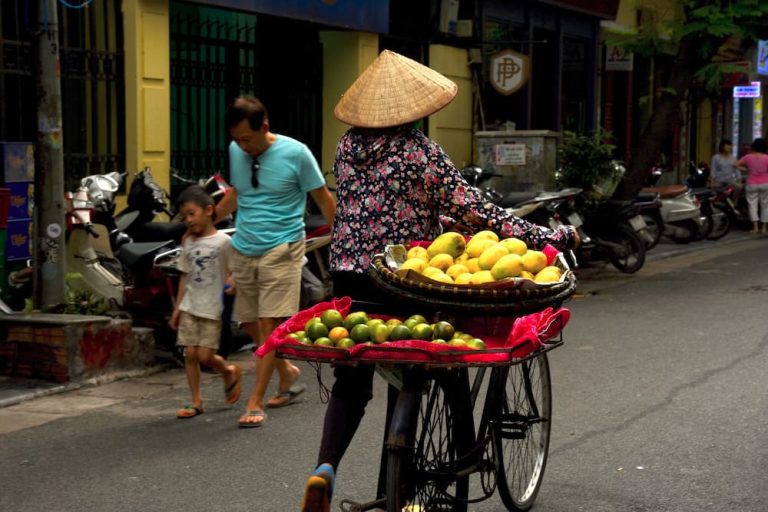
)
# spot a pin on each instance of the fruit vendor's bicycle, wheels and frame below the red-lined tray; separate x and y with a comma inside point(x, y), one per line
point(432, 446)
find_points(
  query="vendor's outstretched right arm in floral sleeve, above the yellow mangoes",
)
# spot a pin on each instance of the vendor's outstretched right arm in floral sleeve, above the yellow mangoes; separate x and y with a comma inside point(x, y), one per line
point(447, 186)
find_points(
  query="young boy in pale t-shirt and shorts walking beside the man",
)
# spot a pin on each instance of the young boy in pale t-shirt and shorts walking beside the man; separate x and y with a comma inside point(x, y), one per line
point(204, 263)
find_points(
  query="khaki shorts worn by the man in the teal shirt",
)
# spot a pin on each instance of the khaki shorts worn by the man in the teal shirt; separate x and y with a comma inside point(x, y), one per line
point(268, 286)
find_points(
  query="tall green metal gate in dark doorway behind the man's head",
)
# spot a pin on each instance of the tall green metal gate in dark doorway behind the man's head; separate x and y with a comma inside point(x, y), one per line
point(217, 54)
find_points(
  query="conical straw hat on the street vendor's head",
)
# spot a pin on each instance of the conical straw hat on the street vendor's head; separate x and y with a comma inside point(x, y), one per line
point(394, 90)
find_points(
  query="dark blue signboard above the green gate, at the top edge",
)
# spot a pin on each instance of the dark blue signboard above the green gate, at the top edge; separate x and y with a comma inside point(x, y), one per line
point(368, 15)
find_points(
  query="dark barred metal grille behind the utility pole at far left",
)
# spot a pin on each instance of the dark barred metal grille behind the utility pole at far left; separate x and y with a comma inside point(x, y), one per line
point(92, 85)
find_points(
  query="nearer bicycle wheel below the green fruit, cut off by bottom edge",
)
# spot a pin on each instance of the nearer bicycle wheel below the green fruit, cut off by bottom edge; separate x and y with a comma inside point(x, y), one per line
point(422, 476)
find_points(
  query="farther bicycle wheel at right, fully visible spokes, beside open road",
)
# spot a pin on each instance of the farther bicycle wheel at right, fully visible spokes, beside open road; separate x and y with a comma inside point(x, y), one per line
point(521, 430)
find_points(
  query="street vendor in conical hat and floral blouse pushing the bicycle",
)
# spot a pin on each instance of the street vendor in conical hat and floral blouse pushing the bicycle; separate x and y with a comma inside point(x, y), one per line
point(394, 185)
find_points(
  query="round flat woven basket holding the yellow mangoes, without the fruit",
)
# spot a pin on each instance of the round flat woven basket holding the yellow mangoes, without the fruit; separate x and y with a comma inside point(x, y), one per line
point(475, 298)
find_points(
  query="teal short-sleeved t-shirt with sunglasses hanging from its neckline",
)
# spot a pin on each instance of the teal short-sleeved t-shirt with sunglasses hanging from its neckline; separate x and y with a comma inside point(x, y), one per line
point(272, 213)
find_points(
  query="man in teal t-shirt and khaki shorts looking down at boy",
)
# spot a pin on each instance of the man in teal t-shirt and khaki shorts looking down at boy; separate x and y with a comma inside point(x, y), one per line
point(271, 175)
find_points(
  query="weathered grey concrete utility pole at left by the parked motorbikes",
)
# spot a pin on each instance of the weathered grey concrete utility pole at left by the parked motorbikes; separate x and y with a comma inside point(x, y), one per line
point(49, 250)
